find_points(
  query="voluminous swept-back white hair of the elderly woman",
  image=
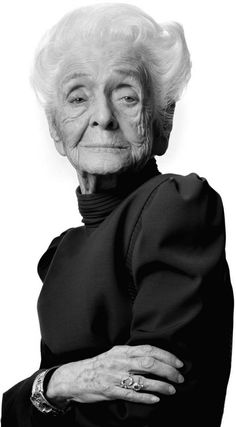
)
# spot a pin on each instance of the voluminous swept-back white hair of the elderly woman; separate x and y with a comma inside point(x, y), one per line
point(162, 48)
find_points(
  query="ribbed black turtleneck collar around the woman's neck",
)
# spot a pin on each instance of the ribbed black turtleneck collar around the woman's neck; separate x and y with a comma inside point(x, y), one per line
point(95, 207)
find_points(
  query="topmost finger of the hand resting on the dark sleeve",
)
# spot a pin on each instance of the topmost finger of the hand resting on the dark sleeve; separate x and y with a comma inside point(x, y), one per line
point(155, 352)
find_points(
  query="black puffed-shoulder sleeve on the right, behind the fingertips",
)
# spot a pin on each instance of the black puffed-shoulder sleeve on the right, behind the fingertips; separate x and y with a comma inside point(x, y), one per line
point(184, 301)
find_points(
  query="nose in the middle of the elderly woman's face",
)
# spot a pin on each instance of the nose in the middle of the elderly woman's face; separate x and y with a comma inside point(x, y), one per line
point(103, 116)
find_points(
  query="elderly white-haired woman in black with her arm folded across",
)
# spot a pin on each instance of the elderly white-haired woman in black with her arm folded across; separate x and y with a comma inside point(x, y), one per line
point(136, 305)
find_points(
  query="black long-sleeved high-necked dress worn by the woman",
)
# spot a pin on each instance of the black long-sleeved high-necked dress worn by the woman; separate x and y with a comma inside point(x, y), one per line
point(148, 267)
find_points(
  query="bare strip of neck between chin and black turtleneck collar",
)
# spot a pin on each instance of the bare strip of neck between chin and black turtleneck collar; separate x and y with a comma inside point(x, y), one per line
point(90, 183)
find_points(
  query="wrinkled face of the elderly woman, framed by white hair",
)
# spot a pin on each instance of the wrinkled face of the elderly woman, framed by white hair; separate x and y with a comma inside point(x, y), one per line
point(103, 117)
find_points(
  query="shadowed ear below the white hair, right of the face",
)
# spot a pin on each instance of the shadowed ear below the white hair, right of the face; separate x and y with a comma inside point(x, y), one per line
point(161, 131)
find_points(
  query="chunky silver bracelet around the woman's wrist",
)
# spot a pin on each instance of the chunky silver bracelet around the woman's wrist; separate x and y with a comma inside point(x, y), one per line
point(39, 400)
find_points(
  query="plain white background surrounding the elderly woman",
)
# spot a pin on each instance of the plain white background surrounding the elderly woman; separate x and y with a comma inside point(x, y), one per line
point(37, 185)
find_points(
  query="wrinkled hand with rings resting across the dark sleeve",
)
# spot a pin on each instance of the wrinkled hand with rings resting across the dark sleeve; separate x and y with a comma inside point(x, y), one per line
point(98, 378)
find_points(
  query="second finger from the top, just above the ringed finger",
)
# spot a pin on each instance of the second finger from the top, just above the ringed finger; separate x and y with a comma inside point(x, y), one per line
point(150, 365)
